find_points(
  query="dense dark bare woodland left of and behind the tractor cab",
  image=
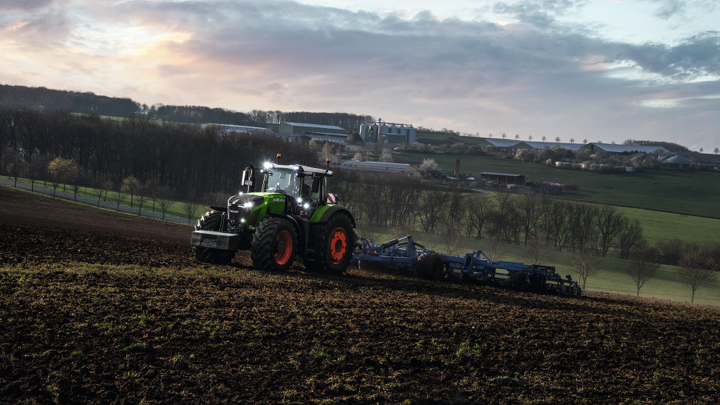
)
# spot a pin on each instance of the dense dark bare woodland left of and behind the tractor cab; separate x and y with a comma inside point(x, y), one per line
point(191, 161)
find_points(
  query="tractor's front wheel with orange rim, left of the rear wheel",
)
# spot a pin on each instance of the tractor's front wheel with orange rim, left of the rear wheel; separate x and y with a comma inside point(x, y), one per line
point(274, 245)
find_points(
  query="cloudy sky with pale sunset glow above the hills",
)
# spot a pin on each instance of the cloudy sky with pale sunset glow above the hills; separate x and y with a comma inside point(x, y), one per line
point(601, 70)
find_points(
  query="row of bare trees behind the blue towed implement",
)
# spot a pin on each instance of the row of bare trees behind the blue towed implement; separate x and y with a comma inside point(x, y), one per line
point(392, 201)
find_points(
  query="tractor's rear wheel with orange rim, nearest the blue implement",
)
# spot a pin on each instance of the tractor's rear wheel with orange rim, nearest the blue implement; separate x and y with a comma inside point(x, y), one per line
point(334, 245)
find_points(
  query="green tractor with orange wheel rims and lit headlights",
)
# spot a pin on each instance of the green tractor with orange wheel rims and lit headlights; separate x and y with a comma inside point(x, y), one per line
point(292, 215)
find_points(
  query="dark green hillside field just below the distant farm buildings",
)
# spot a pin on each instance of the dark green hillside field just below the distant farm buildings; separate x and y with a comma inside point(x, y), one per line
point(683, 192)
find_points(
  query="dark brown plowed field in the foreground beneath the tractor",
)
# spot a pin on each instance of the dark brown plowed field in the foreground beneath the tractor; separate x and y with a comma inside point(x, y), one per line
point(94, 314)
